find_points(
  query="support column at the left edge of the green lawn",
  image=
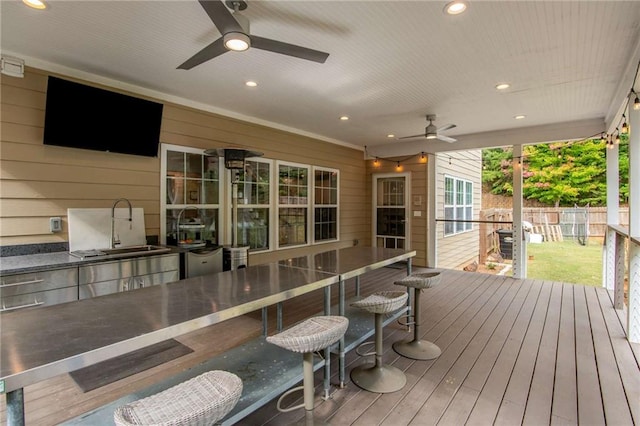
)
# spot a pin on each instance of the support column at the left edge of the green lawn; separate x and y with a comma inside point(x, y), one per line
point(519, 244)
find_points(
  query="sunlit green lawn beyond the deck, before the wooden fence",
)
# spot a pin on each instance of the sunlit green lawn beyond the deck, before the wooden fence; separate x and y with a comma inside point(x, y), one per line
point(566, 261)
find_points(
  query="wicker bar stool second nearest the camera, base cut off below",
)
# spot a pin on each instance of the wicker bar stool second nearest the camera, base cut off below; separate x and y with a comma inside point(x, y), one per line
point(307, 337)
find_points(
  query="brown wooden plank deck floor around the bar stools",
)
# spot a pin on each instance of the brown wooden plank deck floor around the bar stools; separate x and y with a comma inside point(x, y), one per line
point(513, 352)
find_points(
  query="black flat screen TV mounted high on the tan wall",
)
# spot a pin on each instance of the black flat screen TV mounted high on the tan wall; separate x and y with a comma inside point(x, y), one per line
point(81, 116)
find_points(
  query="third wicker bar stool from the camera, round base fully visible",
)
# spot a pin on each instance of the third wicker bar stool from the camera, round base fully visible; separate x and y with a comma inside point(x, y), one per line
point(379, 377)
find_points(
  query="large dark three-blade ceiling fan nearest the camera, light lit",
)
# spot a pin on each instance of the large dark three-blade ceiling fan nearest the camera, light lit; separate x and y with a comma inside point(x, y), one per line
point(236, 36)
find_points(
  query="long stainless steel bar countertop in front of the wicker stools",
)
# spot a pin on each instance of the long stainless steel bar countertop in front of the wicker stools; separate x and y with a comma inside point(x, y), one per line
point(44, 342)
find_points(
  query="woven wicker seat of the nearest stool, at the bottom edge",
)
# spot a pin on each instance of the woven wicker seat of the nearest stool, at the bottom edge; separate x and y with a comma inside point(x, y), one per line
point(203, 400)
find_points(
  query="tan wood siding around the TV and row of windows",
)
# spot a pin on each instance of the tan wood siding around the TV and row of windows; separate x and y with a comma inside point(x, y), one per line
point(38, 181)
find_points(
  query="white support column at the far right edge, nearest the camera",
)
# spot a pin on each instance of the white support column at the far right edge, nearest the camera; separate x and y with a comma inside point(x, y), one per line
point(634, 224)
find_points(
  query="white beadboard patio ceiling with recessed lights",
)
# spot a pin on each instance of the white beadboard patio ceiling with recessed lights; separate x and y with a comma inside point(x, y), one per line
point(569, 64)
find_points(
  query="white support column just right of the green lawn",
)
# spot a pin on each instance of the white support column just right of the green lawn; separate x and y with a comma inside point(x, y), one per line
point(613, 218)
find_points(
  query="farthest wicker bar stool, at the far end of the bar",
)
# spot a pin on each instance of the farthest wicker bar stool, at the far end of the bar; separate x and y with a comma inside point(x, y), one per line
point(416, 348)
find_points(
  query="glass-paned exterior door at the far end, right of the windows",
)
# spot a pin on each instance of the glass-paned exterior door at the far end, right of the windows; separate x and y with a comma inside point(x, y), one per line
point(390, 223)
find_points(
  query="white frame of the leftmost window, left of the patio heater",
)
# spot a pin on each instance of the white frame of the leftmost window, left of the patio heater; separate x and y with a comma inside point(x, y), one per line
point(164, 147)
